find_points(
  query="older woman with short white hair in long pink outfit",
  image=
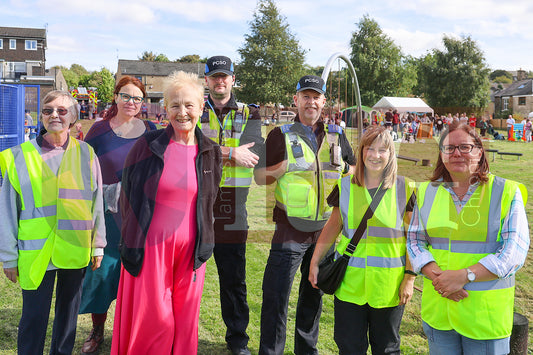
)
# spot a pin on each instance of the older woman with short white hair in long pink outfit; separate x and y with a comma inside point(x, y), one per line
point(169, 185)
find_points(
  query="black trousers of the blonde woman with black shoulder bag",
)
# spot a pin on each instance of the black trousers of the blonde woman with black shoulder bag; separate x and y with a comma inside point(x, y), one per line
point(353, 322)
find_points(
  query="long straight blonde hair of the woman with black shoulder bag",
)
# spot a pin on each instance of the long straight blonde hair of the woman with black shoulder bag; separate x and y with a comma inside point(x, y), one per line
point(379, 134)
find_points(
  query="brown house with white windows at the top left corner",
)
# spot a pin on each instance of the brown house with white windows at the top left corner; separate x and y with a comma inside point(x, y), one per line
point(22, 53)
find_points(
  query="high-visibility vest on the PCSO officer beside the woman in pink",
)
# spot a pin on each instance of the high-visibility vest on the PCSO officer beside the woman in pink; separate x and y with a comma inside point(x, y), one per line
point(229, 135)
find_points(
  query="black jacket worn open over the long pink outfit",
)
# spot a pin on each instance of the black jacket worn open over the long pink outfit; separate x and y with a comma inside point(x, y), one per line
point(140, 179)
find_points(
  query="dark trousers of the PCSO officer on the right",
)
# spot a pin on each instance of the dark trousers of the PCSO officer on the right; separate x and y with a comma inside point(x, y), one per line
point(284, 260)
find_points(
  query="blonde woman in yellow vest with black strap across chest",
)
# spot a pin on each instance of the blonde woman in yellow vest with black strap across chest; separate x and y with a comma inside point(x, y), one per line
point(378, 282)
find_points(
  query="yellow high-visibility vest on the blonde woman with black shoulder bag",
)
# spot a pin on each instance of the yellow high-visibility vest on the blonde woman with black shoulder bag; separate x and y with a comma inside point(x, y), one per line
point(376, 268)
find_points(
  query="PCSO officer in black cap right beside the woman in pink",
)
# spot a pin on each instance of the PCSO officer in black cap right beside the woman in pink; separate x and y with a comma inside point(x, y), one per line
point(237, 128)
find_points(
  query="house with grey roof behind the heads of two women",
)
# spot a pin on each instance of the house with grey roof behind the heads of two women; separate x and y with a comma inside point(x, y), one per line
point(153, 74)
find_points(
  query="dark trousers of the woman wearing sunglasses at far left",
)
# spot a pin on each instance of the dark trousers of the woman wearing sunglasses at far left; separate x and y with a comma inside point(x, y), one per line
point(36, 308)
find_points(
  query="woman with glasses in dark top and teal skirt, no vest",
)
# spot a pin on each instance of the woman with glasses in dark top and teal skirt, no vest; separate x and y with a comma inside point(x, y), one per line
point(112, 139)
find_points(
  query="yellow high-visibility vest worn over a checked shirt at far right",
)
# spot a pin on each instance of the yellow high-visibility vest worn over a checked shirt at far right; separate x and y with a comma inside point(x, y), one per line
point(459, 240)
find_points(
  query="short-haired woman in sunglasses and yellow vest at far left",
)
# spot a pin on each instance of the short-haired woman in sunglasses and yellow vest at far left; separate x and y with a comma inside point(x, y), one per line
point(51, 224)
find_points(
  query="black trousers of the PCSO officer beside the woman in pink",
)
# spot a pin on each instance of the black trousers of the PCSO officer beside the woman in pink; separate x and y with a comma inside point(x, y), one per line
point(230, 259)
